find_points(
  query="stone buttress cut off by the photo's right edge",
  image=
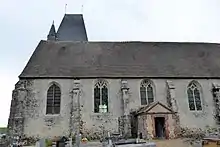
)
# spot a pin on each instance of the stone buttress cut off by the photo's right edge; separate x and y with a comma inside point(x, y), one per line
point(216, 98)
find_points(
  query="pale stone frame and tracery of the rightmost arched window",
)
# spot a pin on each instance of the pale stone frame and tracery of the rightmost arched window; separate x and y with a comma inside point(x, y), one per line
point(193, 85)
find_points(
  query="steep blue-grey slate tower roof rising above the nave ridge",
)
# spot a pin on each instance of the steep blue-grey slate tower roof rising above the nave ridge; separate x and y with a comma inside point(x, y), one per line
point(72, 28)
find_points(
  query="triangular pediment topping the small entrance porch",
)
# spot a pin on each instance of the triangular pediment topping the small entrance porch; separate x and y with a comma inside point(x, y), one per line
point(156, 107)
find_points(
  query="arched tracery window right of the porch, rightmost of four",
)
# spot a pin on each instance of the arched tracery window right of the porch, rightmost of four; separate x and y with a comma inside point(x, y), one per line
point(194, 96)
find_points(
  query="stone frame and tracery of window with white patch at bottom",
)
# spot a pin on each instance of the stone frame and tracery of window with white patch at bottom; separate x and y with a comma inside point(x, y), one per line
point(101, 83)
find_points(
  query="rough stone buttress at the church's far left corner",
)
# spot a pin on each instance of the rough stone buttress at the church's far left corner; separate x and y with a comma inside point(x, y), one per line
point(16, 118)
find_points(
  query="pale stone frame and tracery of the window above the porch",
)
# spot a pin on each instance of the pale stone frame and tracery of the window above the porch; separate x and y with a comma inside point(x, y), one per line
point(146, 83)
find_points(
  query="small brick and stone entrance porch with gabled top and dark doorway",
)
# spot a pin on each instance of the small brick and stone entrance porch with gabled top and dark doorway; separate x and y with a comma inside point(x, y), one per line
point(156, 120)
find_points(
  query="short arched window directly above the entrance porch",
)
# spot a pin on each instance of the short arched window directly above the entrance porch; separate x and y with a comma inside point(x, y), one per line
point(146, 92)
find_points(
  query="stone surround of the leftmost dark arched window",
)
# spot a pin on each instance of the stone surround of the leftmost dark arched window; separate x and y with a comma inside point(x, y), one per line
point(46, 108)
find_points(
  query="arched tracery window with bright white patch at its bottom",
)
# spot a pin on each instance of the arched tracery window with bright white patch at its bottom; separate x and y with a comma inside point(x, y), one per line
point(100, 96)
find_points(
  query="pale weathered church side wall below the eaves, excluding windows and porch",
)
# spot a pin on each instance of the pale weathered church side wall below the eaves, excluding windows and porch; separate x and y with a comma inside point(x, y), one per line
point(28, 106)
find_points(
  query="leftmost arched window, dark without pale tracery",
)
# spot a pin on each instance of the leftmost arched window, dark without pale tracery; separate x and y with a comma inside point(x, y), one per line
point(53, 100)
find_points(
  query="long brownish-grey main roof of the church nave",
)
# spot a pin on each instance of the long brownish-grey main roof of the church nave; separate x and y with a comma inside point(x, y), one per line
point(53, 59)
